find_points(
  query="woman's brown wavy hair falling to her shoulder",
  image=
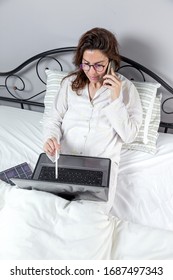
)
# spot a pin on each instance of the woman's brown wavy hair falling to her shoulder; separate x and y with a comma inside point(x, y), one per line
point(95, 39)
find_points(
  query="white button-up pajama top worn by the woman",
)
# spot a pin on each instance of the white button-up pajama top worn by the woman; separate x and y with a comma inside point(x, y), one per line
point(96, 127)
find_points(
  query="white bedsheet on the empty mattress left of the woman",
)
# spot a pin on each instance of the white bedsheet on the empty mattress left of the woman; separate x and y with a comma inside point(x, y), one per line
point(20, 137)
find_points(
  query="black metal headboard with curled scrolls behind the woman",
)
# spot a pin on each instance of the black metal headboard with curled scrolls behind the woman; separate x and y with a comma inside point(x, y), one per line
point(14, 83)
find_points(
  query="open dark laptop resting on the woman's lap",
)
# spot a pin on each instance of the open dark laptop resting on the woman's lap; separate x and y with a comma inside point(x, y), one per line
point(79, 177)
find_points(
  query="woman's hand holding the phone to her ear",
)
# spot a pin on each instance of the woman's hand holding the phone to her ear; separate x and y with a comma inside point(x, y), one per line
point(112, 82)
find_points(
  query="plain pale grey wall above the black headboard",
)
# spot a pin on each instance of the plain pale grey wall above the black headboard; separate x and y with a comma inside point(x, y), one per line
point(143, 28)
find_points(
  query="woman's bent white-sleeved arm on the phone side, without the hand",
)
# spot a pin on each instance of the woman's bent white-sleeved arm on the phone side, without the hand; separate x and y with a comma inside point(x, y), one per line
point(125, 113)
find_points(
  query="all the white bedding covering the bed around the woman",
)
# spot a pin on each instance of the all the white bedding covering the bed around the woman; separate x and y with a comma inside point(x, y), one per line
point(38, 225)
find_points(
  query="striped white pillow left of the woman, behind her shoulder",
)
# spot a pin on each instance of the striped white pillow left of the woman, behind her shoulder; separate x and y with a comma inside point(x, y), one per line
point(54, 78)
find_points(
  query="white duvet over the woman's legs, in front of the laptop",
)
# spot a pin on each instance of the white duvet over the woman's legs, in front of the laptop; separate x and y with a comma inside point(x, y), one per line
point(38, 225)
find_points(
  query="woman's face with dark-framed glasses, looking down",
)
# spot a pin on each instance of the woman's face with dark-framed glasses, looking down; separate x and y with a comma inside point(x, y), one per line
point(94, 65)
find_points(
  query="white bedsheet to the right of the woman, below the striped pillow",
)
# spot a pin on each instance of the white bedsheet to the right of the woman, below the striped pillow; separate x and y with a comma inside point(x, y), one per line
point(144, 191)
